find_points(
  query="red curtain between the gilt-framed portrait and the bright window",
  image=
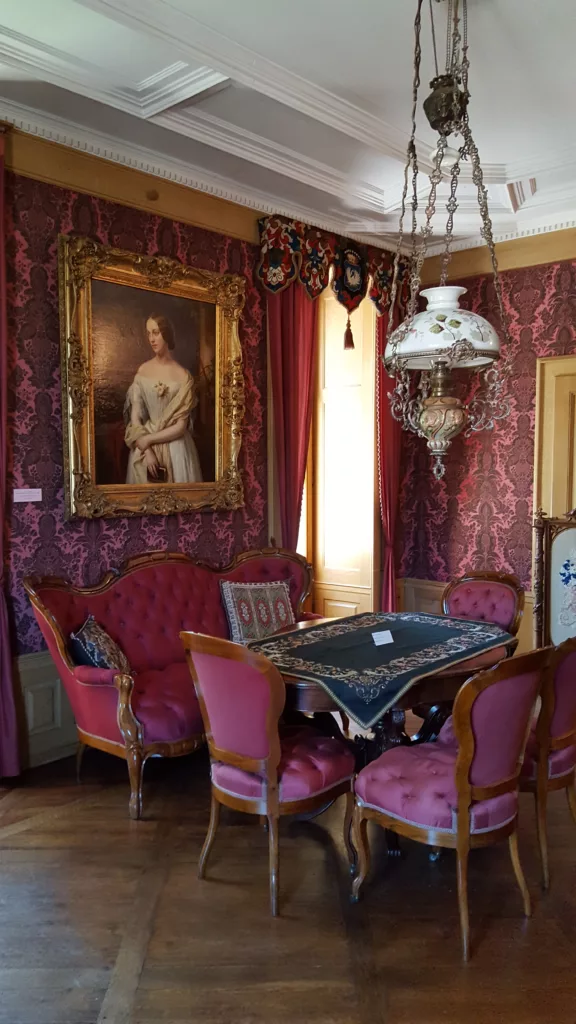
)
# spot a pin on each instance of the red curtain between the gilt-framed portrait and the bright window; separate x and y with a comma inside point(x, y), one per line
point(293, 319)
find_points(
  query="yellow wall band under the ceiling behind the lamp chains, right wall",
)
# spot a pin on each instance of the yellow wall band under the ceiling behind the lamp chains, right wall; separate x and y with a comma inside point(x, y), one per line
point(552, 247)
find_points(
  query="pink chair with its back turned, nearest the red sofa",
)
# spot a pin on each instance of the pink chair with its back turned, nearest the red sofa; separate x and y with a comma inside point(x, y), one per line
point(254, 769)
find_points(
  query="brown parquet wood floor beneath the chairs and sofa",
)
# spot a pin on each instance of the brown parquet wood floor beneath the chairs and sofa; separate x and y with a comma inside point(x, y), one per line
point(104, 922)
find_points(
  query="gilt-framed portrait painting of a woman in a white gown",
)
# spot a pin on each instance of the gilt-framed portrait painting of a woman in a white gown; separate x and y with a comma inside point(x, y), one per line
point(153, 383)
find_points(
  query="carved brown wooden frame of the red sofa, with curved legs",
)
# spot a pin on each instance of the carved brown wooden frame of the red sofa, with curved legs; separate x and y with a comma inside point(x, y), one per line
point(135, 751)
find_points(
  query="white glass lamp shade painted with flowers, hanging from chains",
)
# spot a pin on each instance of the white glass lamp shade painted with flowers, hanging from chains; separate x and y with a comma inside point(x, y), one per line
point(434, 333)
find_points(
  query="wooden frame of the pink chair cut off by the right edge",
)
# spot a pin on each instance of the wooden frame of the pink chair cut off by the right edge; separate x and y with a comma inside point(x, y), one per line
point(544, 785)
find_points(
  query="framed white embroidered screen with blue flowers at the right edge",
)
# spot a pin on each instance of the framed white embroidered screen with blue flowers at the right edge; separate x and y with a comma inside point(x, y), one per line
point(555, 579)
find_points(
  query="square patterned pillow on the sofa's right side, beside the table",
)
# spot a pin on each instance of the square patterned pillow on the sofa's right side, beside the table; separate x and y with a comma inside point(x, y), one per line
point(256, 611)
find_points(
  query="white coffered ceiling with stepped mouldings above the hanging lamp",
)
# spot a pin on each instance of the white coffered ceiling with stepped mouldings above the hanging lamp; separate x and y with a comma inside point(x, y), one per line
point(300, 108)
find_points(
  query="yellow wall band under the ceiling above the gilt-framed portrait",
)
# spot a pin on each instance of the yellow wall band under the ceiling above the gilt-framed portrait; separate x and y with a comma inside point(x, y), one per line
point(61, 165)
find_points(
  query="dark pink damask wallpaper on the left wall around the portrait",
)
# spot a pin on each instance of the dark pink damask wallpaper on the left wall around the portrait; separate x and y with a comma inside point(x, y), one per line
point(39, 539)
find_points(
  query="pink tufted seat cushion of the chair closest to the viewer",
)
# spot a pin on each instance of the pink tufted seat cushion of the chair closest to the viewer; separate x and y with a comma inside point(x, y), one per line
point(417, 785)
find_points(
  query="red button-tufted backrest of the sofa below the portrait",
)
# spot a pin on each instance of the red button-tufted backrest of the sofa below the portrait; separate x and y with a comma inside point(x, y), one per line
point(145, 609)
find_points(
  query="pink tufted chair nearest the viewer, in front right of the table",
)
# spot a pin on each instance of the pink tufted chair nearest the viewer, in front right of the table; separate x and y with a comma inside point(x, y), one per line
point(461, 792)
